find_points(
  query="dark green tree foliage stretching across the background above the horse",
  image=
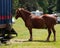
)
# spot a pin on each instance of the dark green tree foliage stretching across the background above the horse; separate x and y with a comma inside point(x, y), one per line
point(33, 5)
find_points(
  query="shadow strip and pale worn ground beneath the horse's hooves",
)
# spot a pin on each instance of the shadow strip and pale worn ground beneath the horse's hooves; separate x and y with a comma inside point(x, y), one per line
point(23, 41)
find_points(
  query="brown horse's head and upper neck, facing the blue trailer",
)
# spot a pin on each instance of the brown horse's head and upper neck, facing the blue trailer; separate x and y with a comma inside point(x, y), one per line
point(21, 12)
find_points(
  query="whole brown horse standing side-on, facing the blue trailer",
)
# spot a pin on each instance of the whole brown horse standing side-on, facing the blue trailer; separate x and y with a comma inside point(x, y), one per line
point(33, 21)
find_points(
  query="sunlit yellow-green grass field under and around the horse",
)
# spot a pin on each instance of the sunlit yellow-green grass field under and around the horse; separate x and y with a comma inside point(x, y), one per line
point(39, 37)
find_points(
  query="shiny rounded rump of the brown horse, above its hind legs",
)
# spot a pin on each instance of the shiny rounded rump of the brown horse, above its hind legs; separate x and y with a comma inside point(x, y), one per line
point(50, 20)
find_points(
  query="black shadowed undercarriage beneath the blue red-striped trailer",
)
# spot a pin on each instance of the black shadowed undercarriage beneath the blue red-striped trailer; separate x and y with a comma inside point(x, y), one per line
point(6, 34)
